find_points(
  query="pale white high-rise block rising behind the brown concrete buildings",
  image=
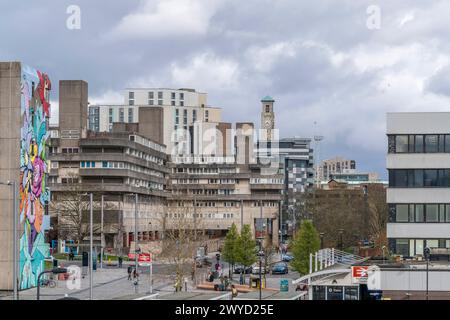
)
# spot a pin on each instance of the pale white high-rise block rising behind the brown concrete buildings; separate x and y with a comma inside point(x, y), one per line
point(180, 109)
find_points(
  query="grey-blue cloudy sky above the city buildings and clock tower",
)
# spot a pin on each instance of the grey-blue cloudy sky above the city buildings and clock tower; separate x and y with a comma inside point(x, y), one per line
point(323, 61)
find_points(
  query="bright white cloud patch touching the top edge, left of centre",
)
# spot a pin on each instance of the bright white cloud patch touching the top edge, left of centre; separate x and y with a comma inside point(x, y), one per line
point(167, 18)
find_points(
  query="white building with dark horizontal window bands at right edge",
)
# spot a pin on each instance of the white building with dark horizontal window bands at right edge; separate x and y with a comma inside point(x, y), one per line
point(418, 196)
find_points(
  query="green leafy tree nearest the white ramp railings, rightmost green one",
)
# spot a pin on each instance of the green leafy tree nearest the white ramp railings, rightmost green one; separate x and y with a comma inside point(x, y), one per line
point(306, 241)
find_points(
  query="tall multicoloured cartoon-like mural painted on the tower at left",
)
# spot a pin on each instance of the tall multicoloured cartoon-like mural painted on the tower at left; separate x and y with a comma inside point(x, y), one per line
point(33, 194)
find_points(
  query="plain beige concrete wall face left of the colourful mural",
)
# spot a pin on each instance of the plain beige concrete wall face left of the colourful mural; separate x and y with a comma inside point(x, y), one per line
point(10, 74)
